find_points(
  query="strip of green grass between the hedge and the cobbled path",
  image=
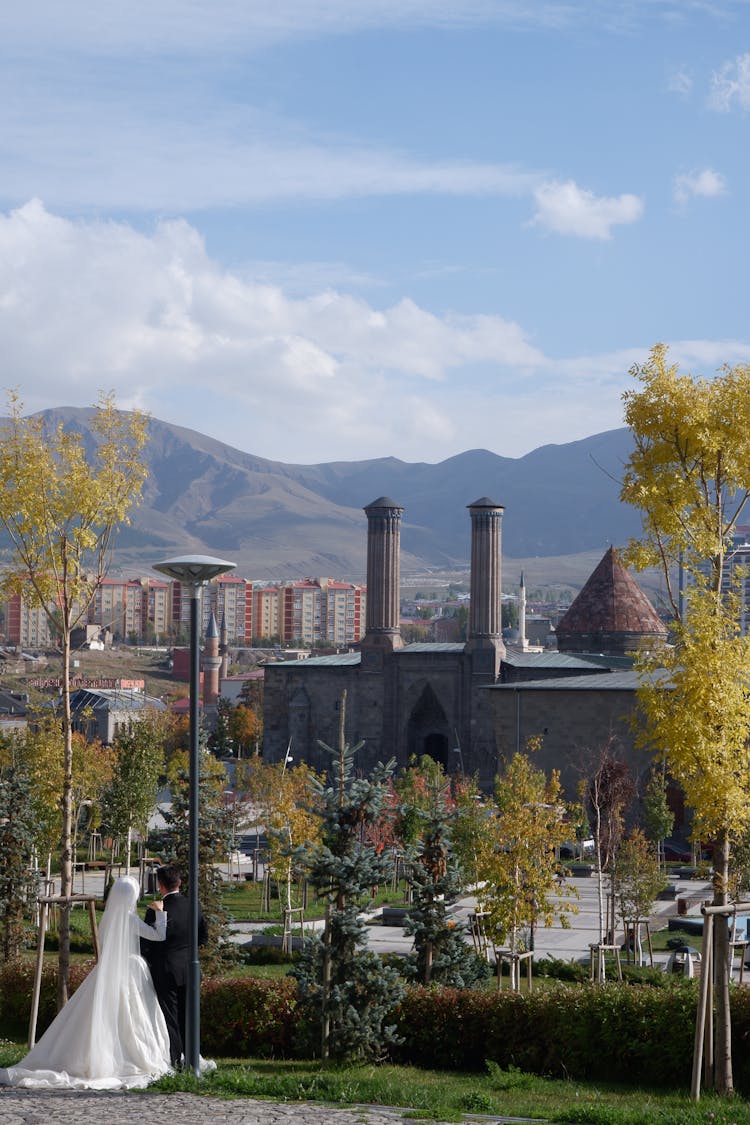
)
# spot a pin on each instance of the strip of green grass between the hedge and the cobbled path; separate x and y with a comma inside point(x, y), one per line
point(447, 1096)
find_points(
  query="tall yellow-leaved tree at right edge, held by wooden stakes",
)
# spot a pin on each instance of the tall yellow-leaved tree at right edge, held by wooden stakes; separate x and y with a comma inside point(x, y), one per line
point(690, 476)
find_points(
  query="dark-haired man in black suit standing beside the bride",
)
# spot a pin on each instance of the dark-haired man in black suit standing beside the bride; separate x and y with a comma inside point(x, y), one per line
point(169, 960)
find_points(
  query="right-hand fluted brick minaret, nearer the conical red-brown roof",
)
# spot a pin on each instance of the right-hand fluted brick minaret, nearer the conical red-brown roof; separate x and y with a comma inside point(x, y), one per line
point(485, 619)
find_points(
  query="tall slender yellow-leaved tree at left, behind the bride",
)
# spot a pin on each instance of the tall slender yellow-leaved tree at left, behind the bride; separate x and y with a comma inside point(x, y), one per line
point(61, 505)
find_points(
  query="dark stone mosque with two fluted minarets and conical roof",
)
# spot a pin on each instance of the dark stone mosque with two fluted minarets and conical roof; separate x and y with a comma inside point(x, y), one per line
point(469, 706)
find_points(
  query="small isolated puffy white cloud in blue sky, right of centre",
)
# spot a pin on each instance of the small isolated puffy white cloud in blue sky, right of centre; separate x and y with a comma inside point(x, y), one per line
point(566, 209)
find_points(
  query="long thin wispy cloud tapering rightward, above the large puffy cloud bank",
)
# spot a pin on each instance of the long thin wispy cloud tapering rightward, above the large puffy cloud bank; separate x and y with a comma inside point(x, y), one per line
point(116, 152)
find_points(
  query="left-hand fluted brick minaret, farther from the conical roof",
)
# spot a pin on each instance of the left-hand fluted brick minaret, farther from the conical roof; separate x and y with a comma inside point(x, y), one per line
point(383, 628)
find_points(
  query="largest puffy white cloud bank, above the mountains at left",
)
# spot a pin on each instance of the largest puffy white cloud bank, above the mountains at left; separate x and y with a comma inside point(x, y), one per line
point(97, 305)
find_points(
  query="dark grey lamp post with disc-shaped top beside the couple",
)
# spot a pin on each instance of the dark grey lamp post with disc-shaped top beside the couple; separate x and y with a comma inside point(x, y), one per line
point(194, 572)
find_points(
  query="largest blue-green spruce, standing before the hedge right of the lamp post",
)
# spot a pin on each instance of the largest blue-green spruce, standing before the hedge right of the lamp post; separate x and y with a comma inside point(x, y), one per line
point(346, 993)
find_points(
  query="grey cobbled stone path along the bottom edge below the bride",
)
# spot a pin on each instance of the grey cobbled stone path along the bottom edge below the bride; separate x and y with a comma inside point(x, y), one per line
point(74, 1108)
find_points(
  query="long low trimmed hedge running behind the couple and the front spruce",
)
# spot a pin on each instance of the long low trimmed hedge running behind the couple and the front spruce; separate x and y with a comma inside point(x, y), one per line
point(612, 1032)
